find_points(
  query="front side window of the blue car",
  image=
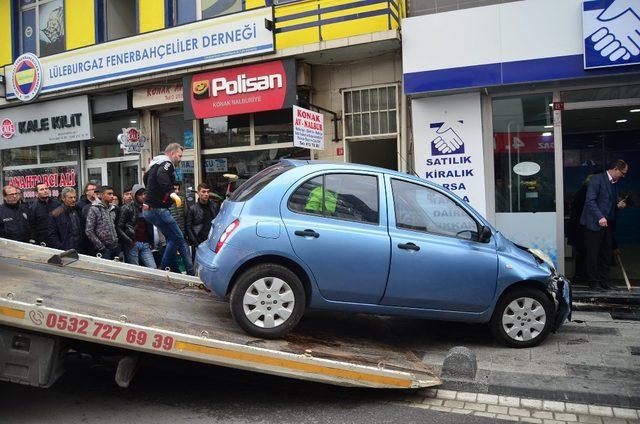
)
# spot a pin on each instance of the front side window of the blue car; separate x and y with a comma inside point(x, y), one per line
point(420, 208)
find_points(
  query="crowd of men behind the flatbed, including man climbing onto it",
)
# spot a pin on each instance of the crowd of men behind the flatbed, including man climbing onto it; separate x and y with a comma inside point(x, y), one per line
point(151, 226)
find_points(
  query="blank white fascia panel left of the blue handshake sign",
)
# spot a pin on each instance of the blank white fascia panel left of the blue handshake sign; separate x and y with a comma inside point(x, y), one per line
point(508, 32)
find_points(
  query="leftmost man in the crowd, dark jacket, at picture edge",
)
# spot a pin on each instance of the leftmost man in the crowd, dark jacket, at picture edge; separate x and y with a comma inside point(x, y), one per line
point(15, 216)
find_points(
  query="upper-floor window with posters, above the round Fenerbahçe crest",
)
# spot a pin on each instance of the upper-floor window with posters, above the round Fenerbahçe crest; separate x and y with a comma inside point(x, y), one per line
point(42, 28)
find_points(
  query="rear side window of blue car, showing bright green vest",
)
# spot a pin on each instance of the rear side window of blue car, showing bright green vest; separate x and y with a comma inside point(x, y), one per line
point(350, 197)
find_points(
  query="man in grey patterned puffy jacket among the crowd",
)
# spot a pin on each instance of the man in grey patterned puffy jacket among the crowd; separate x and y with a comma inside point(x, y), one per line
point(100, 228)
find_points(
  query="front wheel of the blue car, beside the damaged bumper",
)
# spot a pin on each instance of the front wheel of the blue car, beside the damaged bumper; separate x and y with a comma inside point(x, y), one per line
point(523, 317)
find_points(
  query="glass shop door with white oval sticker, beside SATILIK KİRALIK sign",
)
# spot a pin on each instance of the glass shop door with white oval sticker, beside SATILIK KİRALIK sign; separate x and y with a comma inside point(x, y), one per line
point(524, 161)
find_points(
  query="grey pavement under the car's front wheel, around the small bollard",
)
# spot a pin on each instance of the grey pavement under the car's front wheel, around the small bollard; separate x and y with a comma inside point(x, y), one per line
point(592, 360)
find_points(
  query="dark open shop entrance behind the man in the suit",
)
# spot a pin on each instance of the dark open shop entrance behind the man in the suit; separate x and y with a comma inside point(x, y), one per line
point(593, 135)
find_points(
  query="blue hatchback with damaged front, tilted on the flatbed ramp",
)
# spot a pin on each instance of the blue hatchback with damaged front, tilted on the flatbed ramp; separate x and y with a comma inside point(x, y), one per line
point(345, 237)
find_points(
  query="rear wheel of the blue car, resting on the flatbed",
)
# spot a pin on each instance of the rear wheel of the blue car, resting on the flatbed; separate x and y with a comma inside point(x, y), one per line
point(267, 300)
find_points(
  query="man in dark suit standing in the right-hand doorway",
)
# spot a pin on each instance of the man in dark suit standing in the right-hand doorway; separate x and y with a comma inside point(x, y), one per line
point(598, 217)
